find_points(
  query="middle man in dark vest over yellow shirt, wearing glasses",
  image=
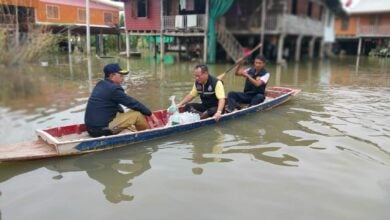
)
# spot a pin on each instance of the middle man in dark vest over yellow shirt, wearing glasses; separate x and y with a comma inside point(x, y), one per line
point(211, 92)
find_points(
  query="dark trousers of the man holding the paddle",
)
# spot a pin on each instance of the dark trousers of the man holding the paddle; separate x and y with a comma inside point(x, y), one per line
point(236, 98)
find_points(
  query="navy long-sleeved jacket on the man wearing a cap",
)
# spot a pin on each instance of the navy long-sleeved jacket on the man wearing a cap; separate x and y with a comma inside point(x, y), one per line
point(103, 104)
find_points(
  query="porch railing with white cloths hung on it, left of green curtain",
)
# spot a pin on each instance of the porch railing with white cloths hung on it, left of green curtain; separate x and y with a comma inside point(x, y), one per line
point(184, 22)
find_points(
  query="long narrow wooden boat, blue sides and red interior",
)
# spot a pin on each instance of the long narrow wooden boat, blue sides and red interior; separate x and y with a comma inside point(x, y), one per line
point(73, 139)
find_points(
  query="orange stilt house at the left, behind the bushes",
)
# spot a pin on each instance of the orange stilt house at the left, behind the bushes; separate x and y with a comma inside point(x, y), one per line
point(18, 18)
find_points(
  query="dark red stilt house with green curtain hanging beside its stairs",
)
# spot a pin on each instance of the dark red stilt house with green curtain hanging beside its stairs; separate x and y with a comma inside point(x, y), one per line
point(287, 29)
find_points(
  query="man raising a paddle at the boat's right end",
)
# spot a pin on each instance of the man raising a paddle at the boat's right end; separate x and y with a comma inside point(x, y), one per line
point(255, 83)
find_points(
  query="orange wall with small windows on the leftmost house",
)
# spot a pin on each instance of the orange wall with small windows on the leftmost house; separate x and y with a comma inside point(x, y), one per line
point(69, 14)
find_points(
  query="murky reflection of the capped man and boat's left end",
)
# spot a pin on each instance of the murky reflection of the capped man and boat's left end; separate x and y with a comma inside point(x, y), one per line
point(114, 172)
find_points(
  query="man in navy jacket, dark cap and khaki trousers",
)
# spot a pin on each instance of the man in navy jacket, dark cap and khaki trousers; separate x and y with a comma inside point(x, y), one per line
point(105, 116)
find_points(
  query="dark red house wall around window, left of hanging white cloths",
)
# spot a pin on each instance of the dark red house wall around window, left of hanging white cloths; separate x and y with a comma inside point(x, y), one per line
point(151, 23)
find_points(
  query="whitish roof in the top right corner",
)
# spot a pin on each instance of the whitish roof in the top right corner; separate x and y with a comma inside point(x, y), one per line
point(370, 6)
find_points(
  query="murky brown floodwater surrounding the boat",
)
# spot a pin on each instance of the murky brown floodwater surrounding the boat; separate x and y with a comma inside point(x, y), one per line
point(323, 155)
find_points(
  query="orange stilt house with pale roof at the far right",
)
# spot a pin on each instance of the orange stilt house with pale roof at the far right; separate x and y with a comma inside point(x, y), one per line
point(366, 29)
